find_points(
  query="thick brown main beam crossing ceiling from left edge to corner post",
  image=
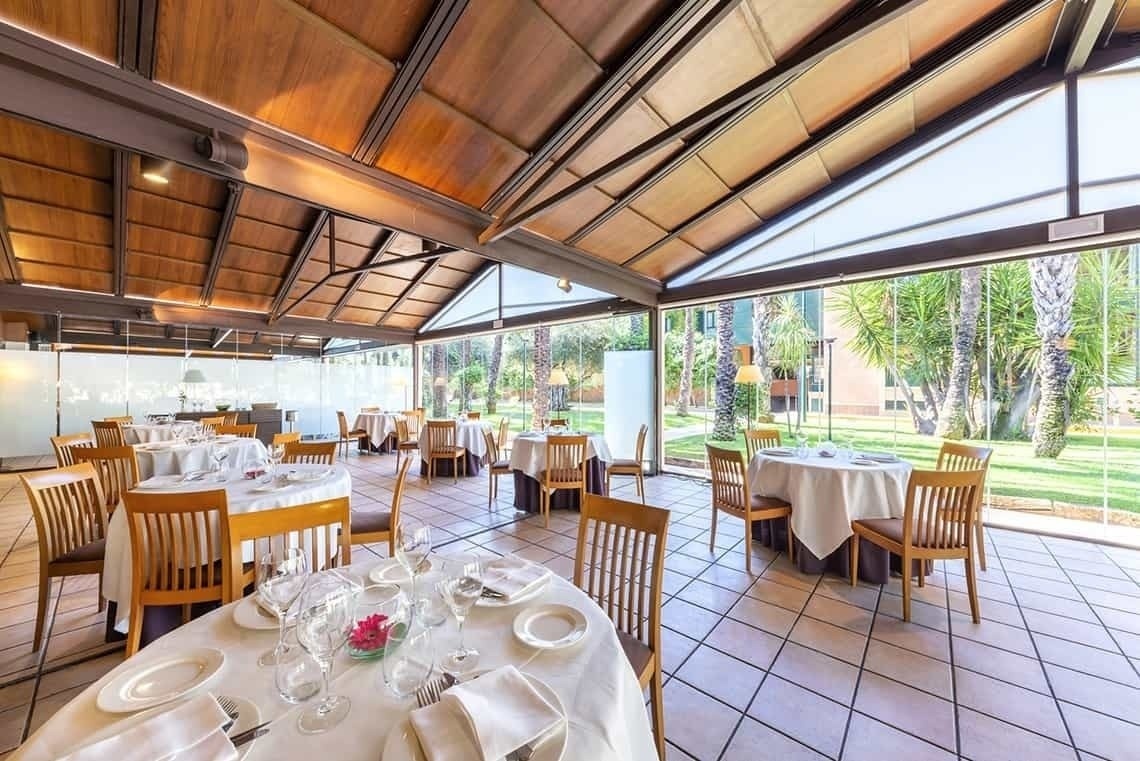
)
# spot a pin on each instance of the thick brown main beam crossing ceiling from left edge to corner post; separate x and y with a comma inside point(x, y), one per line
point(54, 85)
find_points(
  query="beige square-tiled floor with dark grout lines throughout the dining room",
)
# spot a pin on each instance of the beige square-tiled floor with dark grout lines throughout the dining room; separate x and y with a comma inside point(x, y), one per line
point(776, 666)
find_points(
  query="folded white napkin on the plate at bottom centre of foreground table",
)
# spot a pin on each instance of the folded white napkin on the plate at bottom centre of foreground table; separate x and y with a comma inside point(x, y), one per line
point(486, 718)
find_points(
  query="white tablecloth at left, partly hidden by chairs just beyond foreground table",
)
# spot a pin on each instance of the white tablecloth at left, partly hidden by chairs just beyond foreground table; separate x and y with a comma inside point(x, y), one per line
point(242, 498)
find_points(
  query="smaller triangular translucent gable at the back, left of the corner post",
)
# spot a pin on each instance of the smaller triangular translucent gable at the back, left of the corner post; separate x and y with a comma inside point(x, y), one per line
point(525, 292)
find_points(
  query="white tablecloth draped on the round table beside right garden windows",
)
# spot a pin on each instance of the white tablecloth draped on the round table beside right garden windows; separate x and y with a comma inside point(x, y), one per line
point(828, 494)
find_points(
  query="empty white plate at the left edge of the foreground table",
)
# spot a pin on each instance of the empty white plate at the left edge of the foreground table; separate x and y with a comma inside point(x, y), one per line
point(160, 681)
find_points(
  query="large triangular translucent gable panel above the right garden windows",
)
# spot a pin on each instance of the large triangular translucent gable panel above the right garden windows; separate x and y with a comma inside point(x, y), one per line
point(1004, 168)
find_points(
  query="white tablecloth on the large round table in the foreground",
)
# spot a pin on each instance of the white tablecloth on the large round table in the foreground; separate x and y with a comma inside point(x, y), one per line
point(607, 715)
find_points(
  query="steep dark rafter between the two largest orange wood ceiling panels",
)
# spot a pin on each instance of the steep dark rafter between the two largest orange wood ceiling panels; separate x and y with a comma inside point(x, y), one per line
point(409, 78)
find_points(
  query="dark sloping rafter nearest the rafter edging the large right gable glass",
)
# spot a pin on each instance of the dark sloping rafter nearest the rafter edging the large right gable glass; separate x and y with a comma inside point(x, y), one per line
point(948, 56)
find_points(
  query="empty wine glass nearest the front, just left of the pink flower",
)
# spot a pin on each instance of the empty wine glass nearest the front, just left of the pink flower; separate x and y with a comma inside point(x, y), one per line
point(324, 623)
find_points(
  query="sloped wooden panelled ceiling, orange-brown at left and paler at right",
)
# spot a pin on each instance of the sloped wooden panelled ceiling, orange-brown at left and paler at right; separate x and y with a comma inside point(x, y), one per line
point(486, 104)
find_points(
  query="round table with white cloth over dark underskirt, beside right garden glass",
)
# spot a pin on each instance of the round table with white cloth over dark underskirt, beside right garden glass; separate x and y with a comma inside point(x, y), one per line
point(827, 494)
